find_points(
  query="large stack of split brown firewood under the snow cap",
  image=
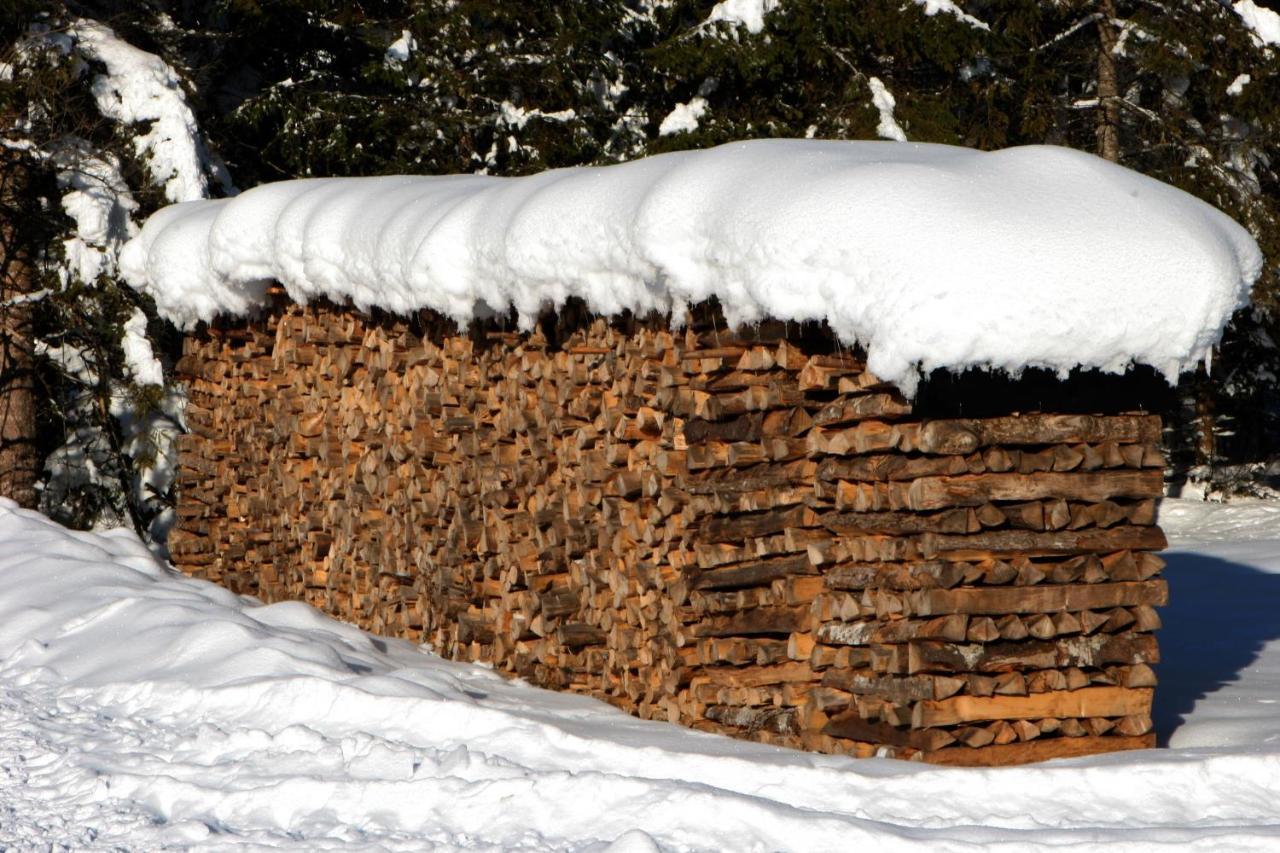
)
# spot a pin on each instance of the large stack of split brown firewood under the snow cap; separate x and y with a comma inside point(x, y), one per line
point(733, 532)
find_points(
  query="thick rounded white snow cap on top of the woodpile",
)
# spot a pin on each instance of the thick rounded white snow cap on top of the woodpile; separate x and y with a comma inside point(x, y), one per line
point(927, 256)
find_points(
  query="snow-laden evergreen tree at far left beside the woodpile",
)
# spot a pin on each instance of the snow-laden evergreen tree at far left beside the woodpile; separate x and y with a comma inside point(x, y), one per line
point(93, 153)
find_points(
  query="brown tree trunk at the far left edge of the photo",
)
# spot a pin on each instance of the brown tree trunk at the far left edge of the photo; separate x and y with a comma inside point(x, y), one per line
point(20, 458)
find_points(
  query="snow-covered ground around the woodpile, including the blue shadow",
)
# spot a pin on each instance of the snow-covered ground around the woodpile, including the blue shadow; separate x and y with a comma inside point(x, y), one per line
point(141, 710)
